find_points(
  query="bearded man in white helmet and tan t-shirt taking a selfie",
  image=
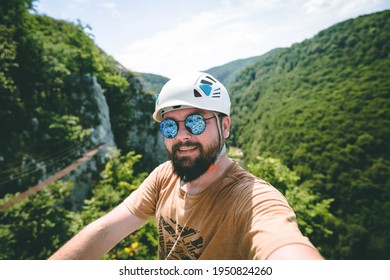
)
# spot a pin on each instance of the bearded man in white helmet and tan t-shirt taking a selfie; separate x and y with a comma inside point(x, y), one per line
point(205, 205)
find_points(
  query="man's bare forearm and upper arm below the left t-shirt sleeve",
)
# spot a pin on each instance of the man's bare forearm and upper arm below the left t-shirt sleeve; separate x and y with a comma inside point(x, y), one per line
point(100, 236)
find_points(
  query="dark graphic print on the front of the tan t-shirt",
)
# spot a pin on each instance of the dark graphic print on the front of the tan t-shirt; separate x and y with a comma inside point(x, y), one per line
point(182, 244)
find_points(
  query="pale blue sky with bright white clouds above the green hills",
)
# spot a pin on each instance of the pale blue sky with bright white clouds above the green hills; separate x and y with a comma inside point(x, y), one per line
point(172, 36)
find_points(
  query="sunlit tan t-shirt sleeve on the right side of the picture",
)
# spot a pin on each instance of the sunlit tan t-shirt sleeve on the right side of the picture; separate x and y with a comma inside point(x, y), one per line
point(269, 221)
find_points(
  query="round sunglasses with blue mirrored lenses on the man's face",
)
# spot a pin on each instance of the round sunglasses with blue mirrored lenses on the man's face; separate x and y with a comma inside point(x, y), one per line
point(194, 123)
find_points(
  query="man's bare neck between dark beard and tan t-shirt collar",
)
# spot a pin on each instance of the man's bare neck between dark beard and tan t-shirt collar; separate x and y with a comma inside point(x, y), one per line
point(209, 178)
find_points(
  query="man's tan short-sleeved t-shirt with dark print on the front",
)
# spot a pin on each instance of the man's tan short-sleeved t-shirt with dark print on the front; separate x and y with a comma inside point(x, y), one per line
point(239, 217)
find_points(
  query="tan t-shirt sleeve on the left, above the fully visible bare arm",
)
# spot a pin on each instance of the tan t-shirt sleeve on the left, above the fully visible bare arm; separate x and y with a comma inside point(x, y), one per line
point(142, 202)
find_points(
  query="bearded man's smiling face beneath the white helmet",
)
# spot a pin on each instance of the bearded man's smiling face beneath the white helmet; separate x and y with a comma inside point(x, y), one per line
point(192, 155)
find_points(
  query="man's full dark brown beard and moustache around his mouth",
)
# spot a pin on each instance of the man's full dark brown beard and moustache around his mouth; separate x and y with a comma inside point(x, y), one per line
point(189, 169)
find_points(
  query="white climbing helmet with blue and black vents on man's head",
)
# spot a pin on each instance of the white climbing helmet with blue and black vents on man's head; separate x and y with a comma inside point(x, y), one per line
point(194, 90)
